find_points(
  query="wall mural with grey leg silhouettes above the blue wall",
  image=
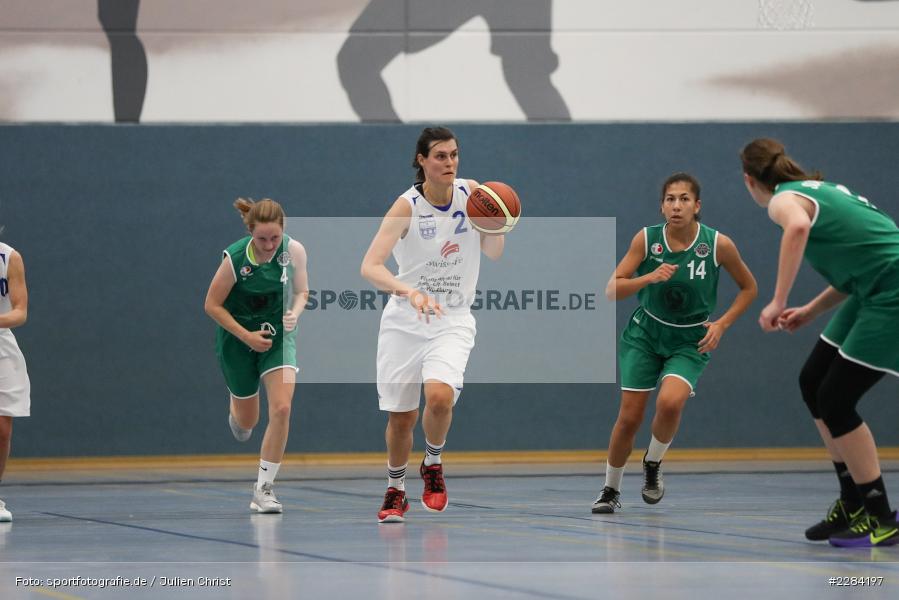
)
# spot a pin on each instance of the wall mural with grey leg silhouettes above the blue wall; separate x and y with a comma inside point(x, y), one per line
point(480, 61)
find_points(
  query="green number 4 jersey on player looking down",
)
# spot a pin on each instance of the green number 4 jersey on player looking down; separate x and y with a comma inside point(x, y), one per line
point(258, 292)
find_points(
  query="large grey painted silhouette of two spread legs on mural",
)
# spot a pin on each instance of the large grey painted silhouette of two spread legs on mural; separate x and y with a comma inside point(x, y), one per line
point(520, 36)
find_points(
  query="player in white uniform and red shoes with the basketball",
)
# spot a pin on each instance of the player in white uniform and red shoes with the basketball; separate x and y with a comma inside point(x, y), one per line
point(427, 329)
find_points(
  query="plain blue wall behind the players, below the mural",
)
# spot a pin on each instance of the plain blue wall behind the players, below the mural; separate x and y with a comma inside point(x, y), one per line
point(121, 229)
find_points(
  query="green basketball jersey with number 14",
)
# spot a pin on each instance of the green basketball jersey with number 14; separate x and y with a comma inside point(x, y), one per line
point(689, 297)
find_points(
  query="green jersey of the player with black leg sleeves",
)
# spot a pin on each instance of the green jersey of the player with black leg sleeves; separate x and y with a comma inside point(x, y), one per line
point(851, 242)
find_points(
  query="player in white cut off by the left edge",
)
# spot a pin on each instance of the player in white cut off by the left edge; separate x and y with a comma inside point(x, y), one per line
point(15, 388)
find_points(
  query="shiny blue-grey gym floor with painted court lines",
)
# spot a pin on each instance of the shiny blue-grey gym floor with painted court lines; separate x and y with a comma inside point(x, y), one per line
point(724, 529)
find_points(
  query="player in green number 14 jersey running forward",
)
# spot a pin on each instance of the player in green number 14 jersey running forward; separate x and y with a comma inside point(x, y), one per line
point(673, 269)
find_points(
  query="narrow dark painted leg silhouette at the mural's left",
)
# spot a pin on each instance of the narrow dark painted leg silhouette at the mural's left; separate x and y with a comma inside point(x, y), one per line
point(129, 60)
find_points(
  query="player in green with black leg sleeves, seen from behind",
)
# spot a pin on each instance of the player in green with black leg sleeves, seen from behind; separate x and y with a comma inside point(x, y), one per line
point(855, 247)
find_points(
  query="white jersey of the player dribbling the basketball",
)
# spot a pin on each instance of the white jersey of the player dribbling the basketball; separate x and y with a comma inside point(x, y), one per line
point(441, 253)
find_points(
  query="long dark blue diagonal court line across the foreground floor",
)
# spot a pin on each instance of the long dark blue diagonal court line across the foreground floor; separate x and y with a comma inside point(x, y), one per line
point(387, 566)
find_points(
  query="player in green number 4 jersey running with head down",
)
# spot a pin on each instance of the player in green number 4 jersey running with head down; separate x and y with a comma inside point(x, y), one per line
point(256, 337)
